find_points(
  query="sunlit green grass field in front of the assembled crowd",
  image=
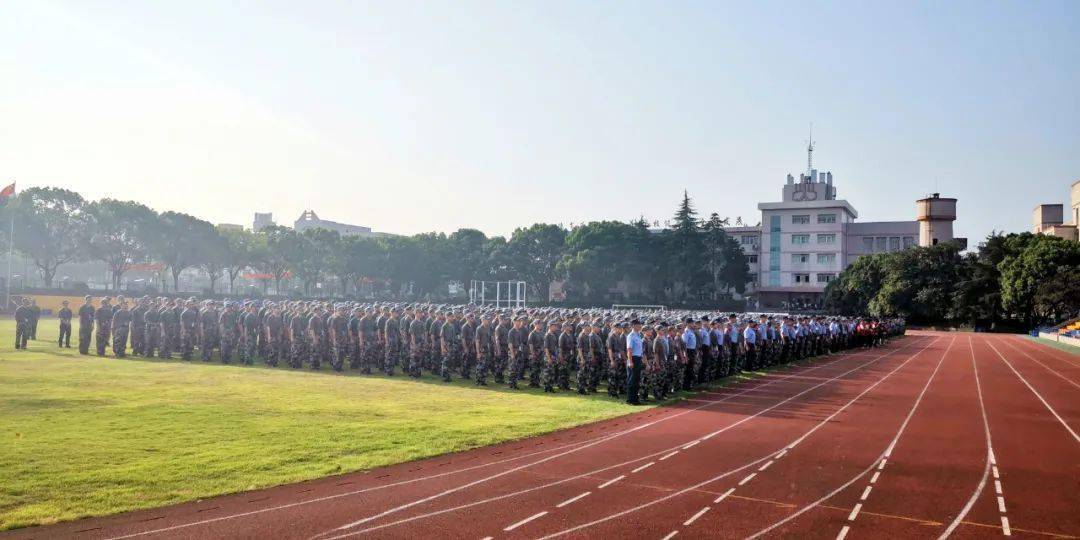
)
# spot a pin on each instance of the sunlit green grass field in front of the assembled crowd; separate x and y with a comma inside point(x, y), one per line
point(85, 436)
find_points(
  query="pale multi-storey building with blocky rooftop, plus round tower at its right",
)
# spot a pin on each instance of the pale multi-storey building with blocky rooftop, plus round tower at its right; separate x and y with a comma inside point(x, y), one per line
point(809, 237)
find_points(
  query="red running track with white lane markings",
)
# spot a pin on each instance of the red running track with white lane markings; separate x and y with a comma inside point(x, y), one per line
point(937, 435)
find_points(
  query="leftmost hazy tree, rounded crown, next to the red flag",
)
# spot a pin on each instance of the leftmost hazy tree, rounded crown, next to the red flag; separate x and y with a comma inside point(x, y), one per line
point(51, 228)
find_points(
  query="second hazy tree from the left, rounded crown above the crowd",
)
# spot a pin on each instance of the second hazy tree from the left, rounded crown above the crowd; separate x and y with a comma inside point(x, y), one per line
point(123, 235)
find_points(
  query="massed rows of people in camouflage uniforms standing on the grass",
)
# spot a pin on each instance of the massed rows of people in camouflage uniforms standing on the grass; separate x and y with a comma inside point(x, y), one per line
point(665, 354)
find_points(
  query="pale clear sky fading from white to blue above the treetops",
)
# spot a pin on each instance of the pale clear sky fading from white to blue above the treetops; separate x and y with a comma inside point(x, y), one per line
point(409, 117)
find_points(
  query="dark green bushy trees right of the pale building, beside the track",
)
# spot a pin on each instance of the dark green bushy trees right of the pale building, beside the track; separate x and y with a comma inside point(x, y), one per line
point(1017, 280)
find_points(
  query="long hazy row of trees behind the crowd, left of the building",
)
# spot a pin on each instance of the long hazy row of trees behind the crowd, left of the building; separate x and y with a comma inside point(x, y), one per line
point(691, 261)
